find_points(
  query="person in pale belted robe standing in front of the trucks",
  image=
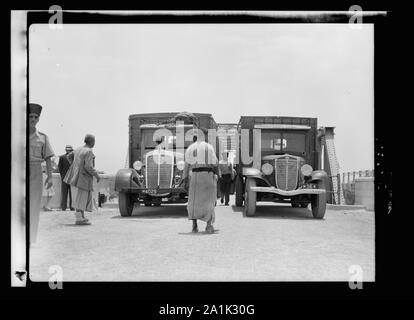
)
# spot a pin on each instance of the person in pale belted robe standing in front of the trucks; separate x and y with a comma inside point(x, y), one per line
point(201, 175)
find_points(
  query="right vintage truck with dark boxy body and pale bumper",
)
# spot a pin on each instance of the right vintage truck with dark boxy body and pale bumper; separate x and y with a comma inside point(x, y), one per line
point(285, 166)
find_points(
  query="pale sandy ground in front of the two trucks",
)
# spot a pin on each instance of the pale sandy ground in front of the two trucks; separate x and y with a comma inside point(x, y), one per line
point(156, 244)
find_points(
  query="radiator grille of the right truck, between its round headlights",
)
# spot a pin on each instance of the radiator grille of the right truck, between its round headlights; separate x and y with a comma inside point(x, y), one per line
point(286, 173)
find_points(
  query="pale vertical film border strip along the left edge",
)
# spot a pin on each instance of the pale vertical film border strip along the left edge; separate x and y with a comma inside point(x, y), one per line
point(18, 145)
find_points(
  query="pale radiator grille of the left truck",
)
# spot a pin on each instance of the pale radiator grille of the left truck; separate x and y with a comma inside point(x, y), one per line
point(159, 173)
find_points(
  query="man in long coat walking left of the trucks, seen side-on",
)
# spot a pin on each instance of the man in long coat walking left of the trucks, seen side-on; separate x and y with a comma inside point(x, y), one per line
point(80, 175)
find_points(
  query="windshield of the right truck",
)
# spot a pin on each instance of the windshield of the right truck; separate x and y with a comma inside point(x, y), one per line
point(283, 142)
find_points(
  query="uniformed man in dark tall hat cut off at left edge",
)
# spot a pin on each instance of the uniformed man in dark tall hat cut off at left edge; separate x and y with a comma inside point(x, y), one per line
point(39, 151)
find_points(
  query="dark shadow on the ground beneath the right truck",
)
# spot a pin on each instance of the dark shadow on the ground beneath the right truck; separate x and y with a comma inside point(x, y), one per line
point(278, 211)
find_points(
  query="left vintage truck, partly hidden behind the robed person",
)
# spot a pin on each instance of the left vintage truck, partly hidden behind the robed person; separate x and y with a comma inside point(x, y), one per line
point(148, 180)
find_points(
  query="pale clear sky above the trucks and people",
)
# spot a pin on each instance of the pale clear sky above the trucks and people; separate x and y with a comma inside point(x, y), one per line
point(90, 78)
